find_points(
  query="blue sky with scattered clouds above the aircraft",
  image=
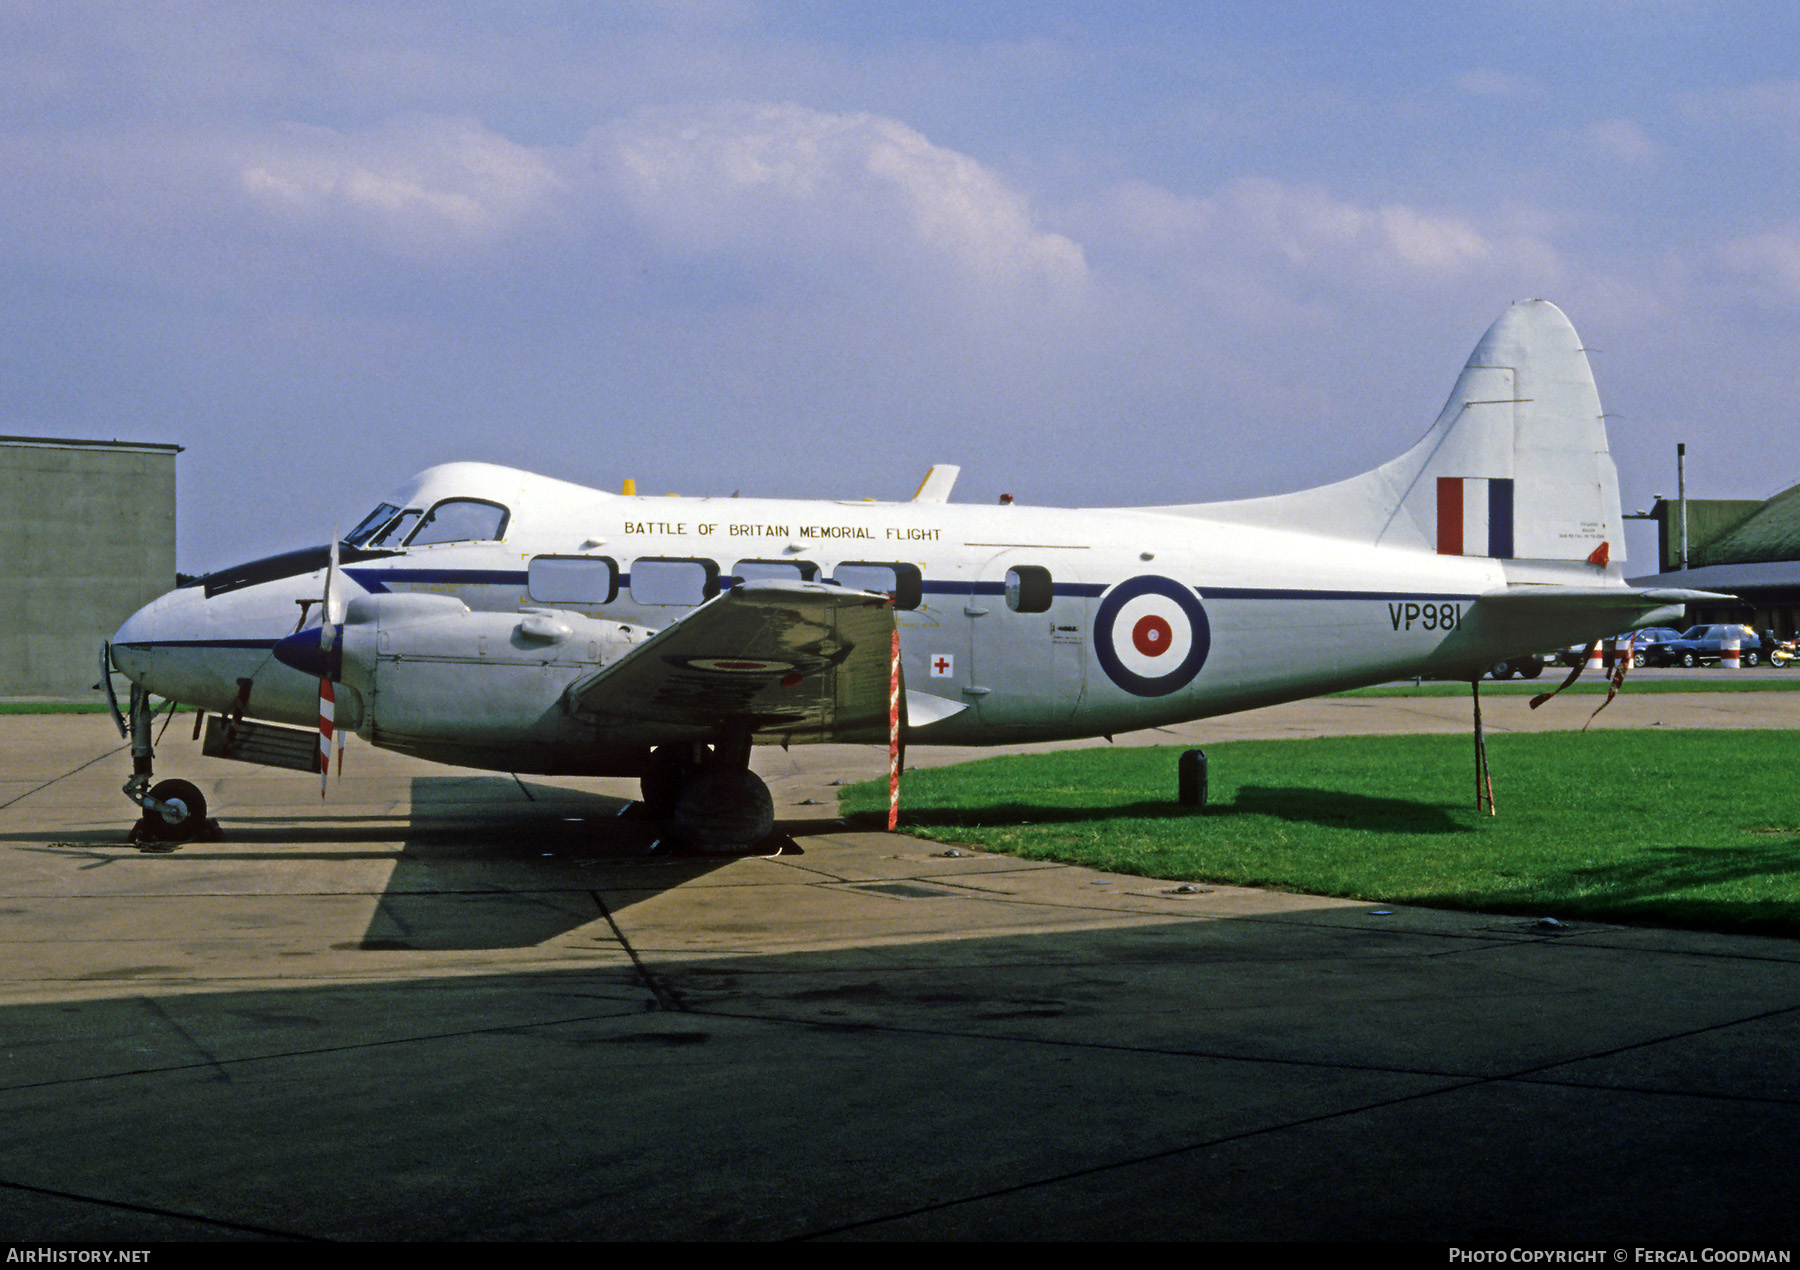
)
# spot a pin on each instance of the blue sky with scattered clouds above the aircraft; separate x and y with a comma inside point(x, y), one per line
point(1097, 255)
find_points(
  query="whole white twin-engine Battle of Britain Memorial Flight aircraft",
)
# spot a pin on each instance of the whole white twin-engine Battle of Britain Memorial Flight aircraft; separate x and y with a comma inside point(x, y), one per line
point(499, 620)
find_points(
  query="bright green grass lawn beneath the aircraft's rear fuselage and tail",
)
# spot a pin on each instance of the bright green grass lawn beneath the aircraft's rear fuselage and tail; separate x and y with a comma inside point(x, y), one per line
point(1653, 828)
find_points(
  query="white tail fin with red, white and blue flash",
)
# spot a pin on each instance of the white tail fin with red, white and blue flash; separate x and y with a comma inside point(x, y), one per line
point(1515, 469)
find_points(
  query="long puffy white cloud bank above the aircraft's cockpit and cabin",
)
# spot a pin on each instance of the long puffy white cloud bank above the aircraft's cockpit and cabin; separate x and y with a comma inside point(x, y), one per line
point(782, 186)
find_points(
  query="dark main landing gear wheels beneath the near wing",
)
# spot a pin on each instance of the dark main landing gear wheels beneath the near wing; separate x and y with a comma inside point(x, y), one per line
point(710, 796)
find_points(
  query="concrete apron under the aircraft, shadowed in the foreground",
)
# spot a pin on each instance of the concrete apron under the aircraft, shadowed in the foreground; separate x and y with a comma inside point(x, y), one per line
point(451, 1005)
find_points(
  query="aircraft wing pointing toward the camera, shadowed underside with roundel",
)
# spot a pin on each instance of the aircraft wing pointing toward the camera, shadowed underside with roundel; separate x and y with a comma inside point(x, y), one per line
point(802, 661)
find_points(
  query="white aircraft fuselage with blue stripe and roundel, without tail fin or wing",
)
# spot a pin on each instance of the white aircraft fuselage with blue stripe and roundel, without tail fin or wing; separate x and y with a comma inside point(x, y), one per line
point(1016, 623)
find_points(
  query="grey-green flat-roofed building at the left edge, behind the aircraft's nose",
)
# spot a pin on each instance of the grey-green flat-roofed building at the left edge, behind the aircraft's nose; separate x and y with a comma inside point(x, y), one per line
point(87, 537)
